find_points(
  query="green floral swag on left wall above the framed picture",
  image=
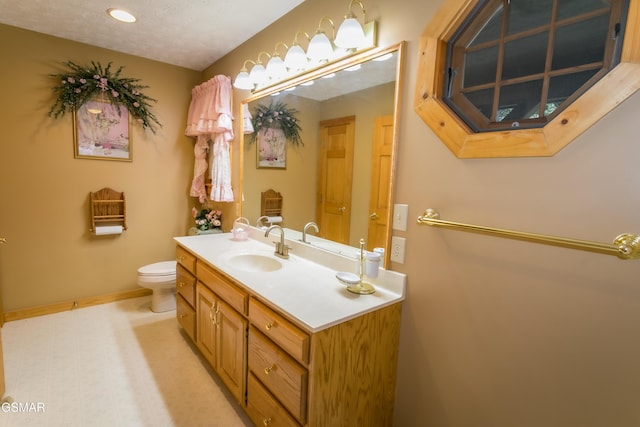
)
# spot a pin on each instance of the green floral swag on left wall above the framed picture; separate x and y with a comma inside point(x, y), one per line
point(81, 84)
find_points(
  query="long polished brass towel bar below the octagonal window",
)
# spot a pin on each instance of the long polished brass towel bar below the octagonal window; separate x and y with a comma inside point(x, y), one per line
point(625, 246)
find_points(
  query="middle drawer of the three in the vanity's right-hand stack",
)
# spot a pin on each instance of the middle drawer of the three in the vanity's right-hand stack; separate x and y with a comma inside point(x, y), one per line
point(285, 378)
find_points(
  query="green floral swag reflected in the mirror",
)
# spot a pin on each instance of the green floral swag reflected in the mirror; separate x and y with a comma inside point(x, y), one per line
point(278, 116)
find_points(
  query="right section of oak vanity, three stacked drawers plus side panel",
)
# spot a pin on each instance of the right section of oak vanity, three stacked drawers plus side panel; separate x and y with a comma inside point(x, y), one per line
point(341, 376)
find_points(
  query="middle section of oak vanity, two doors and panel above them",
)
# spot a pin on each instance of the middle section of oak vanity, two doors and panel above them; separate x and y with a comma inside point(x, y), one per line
point(221, 330)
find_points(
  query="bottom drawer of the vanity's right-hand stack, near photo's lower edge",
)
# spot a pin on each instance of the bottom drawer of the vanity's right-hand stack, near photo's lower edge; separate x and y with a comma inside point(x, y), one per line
point(263, 409)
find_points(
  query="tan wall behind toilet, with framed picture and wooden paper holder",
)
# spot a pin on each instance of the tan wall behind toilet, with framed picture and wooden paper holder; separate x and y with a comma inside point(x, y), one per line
point(44, 213)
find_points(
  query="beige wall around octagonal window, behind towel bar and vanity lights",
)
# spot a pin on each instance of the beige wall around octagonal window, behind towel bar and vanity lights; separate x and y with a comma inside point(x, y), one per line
point(498, 332)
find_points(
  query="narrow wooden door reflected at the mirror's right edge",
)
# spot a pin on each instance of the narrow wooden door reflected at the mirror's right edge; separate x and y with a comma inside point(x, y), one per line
point(380, 182)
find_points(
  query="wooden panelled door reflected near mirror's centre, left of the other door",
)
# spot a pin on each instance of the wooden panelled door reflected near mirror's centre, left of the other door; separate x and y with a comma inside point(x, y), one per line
point(335, 178)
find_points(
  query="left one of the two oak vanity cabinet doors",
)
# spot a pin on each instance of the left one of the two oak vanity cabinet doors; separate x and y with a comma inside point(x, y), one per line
point(206, 327)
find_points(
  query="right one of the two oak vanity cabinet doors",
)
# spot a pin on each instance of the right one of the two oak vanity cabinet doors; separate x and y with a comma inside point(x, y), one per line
point(231, 366)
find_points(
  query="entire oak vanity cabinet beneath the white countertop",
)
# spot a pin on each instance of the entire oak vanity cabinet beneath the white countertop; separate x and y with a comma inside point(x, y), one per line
point(284, 374)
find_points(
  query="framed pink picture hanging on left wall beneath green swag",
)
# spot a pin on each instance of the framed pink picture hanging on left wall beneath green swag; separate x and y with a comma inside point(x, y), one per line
point(101, 130)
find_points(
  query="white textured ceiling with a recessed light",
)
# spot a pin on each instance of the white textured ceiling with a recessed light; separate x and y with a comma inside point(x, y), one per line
point(188, 33)
